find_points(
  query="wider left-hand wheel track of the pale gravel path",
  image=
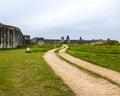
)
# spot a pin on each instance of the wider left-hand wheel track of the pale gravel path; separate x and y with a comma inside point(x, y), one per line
point(81, 83)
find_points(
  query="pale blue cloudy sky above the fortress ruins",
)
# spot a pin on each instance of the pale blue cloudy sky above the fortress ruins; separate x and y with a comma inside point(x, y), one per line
point(51, 19)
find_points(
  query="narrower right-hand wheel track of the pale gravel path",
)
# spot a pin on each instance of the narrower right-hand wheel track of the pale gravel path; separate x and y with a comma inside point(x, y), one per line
point(113, 75)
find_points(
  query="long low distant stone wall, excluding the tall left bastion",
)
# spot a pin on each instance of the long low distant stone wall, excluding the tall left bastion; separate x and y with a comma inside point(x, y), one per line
point(38, 40)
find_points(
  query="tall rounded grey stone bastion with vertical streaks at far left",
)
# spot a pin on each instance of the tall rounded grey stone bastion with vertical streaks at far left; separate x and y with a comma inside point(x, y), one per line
point(10, 36)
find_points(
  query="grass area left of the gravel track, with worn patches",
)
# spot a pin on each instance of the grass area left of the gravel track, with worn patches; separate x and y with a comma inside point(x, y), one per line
point(27, 74)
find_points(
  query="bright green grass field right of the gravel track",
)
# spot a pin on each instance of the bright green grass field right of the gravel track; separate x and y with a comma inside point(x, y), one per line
point(107, 56)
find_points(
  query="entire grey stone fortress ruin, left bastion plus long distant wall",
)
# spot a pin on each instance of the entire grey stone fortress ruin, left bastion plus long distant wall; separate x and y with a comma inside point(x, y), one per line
point(12, 37)
